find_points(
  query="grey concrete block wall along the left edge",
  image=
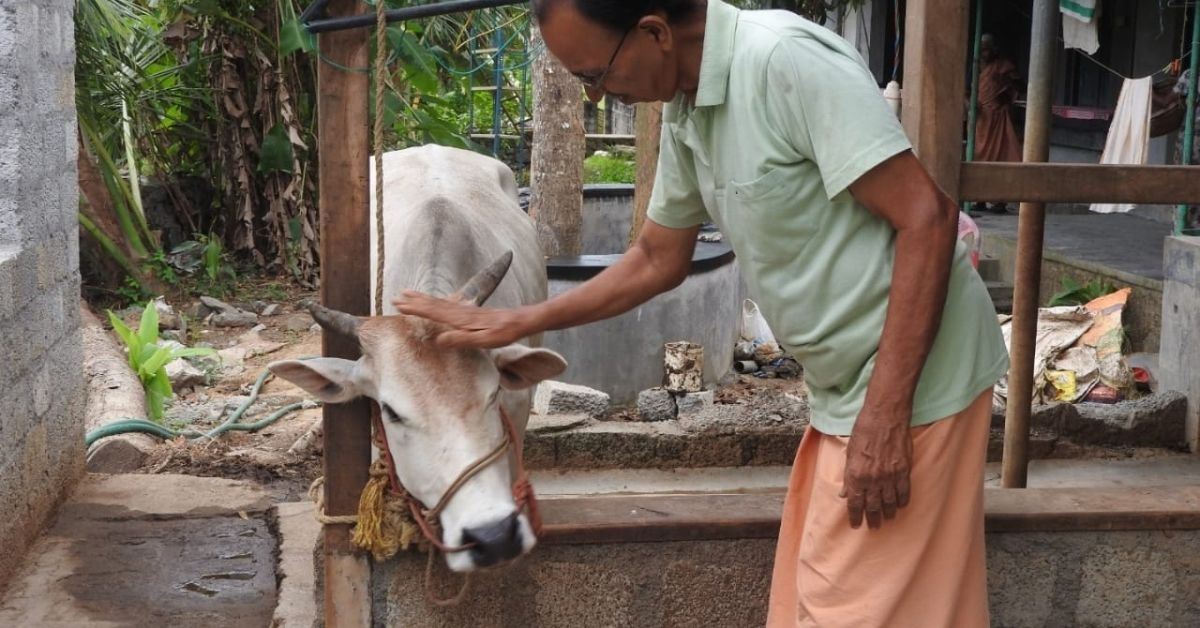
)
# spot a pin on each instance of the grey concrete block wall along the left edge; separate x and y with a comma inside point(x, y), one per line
point(41, 379)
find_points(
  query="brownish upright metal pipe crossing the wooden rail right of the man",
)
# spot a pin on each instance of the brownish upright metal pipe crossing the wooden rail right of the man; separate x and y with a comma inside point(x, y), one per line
point(1031, 225)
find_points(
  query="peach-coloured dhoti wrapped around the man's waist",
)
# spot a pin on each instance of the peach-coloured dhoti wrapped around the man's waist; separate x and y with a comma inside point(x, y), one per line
point(922, 570)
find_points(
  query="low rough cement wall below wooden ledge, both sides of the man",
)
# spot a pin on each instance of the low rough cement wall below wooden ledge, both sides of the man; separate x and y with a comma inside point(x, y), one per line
point(1036, 581)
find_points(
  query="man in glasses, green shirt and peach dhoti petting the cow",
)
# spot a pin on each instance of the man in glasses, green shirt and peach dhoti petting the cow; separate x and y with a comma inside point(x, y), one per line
point(776, 131)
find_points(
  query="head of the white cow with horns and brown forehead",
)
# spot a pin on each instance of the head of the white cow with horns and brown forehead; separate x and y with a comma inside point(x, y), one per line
point(441, 415)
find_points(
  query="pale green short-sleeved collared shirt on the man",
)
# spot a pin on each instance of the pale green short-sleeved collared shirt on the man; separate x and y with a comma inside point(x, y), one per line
point(785, 119)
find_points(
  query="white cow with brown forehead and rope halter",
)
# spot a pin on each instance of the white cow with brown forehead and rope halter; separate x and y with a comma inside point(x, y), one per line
point(451, 219)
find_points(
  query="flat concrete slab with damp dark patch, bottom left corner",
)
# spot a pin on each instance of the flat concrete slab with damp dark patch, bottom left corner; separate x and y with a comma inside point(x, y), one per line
point(151, 551)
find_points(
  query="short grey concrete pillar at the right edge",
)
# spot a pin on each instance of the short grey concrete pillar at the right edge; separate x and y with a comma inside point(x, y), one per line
point(1179, 362)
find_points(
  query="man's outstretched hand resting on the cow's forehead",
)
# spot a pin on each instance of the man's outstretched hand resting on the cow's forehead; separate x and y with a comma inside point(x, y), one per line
point(471, 327)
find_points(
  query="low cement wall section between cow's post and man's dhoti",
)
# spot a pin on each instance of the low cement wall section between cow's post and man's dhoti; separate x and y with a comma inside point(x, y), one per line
point(627, 585)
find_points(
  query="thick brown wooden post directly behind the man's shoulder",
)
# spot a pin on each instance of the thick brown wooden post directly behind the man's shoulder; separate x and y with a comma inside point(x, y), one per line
point(934, 85)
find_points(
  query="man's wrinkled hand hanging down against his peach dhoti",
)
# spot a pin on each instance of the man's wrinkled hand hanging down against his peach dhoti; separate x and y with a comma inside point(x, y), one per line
point(879, 459)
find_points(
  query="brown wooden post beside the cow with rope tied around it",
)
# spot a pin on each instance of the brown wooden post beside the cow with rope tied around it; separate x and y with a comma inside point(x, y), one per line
point(345, 285)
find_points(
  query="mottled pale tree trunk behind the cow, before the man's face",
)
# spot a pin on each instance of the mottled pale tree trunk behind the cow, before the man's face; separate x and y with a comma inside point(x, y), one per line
point(556, 172)
